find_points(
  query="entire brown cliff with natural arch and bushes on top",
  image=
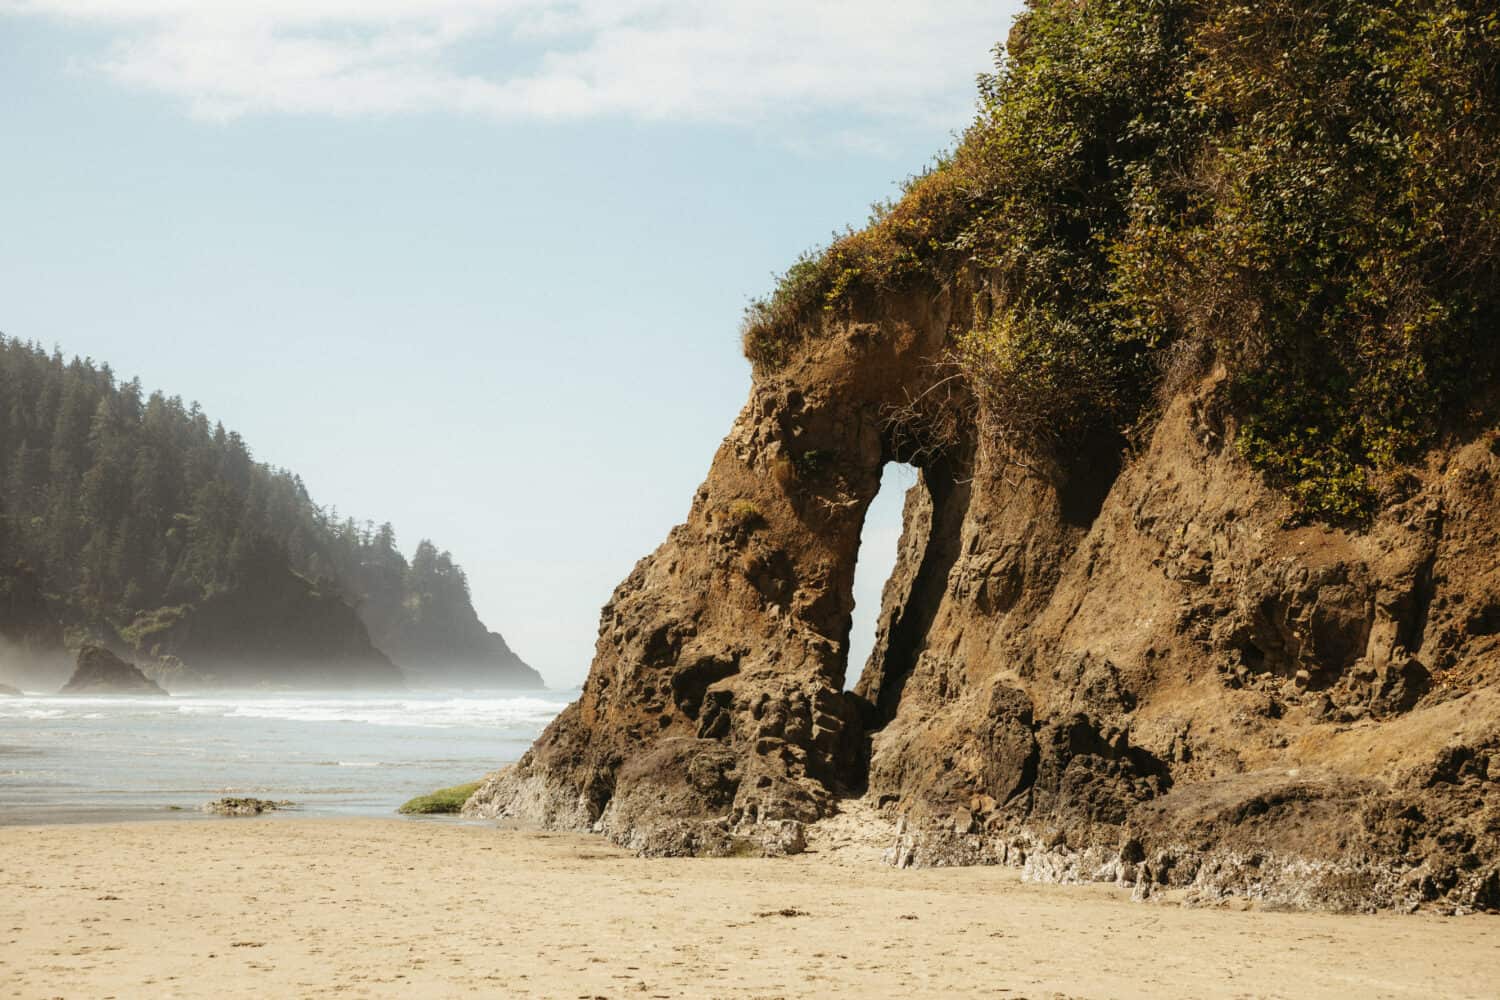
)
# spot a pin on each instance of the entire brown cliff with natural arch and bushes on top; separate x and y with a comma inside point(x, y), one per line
point(1198, 590)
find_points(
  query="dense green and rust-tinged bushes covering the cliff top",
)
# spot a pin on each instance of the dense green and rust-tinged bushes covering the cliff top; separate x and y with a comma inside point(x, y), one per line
point(1307, 193)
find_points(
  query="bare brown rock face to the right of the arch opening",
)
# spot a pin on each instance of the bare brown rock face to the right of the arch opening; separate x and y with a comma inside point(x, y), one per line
point(1199, 698)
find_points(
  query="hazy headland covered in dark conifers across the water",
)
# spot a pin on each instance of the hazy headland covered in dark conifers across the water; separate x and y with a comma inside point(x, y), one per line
point(134, 519)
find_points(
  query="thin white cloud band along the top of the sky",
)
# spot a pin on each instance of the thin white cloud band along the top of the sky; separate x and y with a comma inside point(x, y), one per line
point(743, 64)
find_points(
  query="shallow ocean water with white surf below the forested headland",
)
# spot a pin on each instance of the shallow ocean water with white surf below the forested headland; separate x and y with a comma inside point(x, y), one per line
point(80, 759)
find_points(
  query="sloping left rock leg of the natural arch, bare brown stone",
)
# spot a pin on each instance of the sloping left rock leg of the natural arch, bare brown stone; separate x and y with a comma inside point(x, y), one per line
point(716, 713)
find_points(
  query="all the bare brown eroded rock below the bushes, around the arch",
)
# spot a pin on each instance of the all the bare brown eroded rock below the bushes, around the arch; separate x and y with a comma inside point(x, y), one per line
point(1136, 674)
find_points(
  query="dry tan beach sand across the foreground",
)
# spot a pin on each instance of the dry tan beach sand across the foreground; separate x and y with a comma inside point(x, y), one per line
point(298, 908)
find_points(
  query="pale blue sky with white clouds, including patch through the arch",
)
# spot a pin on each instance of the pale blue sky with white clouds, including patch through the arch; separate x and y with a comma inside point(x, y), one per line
point(475, 268)
